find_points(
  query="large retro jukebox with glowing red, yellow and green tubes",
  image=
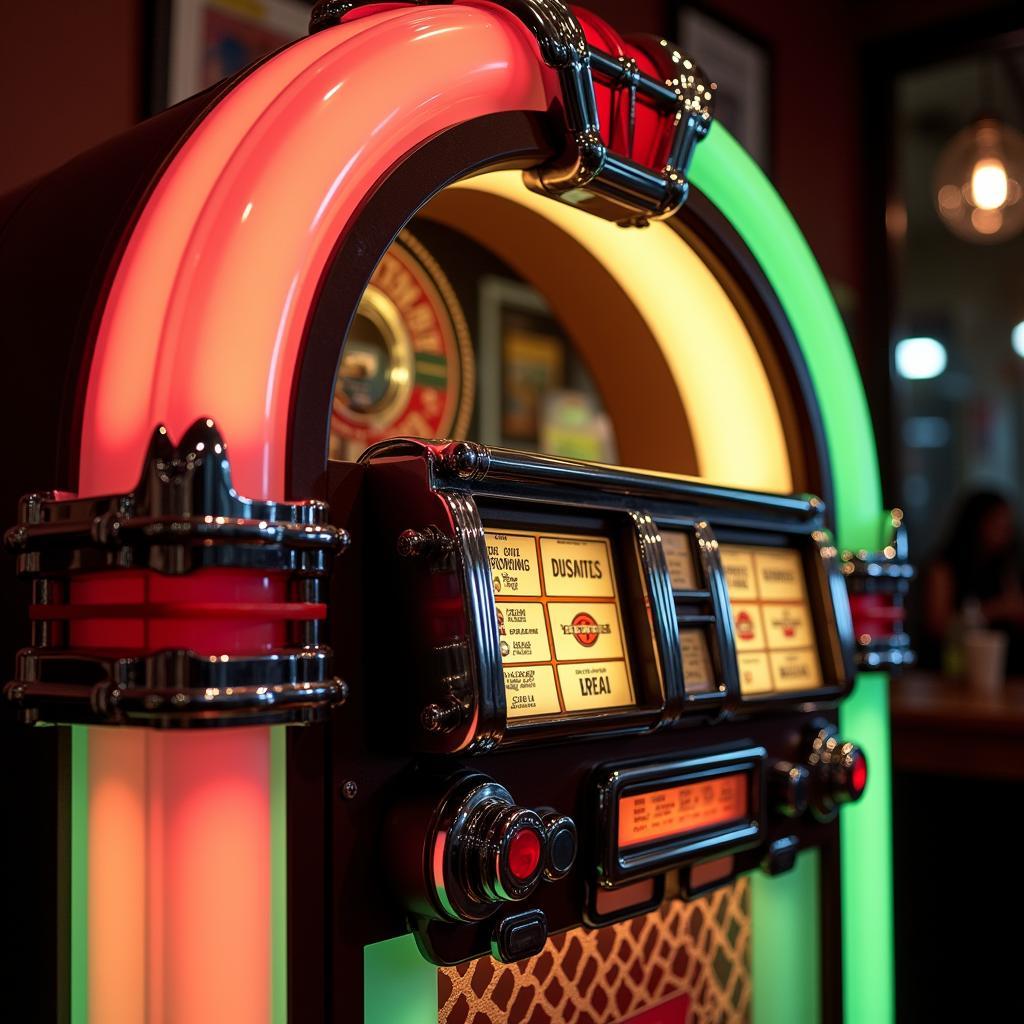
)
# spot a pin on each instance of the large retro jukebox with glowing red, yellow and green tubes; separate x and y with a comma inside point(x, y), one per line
point(421, 654)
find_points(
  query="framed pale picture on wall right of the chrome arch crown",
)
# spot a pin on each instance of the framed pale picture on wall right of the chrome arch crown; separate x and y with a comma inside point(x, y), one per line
point(742, 67)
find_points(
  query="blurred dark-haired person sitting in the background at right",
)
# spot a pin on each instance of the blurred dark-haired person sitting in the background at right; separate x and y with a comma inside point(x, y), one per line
point(975, 580)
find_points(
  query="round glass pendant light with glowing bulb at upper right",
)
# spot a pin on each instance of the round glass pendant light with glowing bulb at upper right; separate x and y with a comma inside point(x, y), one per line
point(978, 183)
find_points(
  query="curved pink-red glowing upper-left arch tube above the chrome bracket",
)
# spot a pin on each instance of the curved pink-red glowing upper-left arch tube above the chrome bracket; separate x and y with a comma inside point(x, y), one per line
point(220, 275)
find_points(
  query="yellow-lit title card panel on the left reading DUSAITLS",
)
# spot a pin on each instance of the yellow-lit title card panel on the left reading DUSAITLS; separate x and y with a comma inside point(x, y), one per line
point(560, 624)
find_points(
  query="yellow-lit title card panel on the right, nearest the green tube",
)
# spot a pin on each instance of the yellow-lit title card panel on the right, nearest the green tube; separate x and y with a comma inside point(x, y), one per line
point(777, 648)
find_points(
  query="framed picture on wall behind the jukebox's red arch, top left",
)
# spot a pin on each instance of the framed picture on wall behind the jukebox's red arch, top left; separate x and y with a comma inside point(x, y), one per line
point(199, 42)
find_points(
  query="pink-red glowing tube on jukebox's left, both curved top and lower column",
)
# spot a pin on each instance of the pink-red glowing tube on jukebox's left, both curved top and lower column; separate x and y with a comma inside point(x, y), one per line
point(205, 318)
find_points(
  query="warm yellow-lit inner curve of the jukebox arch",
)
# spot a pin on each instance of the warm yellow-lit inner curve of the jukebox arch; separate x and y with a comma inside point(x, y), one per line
point(650, 318)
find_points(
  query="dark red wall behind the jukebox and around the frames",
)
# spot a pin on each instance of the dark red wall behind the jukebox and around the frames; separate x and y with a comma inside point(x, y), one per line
point(73, 75)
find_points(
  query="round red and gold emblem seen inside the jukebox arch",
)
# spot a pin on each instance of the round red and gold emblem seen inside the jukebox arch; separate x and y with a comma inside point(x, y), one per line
point(407, 369)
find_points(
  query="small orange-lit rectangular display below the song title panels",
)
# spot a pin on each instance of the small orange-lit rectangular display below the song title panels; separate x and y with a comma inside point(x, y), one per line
point(682, 810)
